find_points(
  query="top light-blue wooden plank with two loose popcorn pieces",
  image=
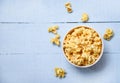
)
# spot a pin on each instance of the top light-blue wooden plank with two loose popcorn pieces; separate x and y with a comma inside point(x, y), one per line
point(49, 11)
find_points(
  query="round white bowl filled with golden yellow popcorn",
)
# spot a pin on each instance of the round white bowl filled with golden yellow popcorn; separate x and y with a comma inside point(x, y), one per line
point(82, 46)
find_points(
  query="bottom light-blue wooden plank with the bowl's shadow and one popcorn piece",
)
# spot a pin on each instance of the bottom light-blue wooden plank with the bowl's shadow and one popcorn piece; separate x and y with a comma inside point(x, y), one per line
point(40, 68)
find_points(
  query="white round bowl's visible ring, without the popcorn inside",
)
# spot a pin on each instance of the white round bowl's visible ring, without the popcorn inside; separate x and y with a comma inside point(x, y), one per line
point(86, 65)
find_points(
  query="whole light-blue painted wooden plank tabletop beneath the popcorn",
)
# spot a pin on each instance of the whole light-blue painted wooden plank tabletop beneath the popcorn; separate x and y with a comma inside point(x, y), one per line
point(26, 54)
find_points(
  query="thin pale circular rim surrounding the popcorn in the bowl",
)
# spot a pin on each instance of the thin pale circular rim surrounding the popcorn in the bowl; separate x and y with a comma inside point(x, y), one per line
point(86, 65)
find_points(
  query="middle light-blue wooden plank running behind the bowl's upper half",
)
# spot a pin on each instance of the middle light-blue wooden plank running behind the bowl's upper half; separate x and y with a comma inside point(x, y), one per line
point(34, 38)
